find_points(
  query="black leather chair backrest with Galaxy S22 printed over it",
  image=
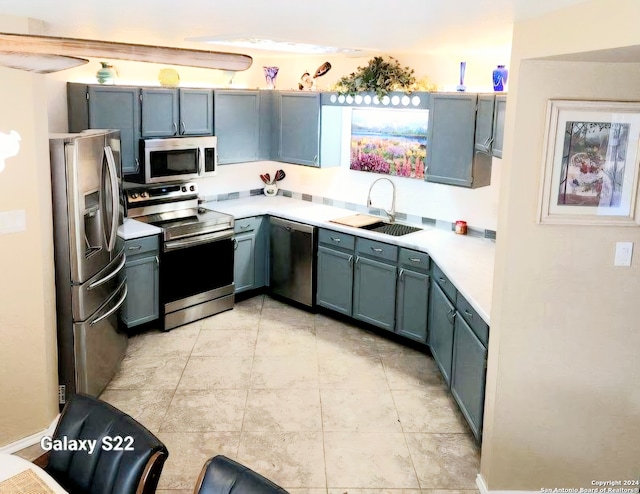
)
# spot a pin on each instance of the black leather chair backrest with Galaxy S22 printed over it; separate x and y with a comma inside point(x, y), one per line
point(127, 459)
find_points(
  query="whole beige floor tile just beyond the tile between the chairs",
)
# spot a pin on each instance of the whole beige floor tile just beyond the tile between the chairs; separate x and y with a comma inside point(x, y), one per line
point(215, 410)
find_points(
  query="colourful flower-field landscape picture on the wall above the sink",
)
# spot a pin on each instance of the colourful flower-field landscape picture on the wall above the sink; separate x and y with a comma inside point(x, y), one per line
point(389, 141)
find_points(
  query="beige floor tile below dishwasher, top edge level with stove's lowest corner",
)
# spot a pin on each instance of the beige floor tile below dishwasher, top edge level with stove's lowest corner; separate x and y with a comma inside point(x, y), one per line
point(283, 339)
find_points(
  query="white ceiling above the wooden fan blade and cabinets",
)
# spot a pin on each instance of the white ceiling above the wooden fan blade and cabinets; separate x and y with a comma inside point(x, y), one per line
point(402, 26)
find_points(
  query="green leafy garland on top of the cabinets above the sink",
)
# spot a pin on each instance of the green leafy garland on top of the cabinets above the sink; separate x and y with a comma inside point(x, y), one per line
point(382, 76)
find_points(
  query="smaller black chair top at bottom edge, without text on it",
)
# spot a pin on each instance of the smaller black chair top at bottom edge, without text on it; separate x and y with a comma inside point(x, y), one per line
point(222, 475)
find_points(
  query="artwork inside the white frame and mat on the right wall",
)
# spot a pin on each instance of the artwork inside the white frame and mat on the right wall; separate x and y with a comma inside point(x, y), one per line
point(593, 164)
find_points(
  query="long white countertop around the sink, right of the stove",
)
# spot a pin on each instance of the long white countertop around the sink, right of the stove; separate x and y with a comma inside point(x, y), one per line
point(467, 261)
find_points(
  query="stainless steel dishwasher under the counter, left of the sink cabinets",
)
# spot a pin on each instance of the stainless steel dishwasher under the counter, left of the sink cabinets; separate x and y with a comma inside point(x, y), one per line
point(292, 260)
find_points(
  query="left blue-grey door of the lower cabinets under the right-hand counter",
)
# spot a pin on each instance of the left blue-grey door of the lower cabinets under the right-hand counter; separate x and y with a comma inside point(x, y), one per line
point(441, 325)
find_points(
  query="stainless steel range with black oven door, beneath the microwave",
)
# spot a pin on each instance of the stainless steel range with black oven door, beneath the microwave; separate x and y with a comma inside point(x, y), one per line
point(196, 262)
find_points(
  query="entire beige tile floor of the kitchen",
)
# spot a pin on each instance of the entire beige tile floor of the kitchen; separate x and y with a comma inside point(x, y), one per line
point(314, 404)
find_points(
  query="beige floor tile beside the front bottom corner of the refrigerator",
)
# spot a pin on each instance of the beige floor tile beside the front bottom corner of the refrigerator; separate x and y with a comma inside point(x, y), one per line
point(149, 373)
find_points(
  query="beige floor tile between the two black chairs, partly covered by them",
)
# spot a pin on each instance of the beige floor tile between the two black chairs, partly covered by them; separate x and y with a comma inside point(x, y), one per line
point(188, 452)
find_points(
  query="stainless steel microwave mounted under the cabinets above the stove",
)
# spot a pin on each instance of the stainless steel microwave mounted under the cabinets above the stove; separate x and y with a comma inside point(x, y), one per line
point(176, 159)
